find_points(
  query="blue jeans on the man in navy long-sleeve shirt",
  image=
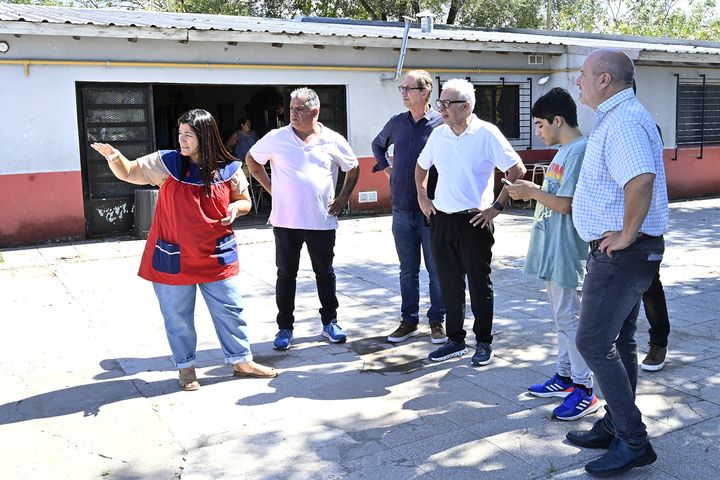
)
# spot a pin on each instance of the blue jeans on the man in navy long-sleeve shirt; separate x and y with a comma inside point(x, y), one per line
point(411, 233)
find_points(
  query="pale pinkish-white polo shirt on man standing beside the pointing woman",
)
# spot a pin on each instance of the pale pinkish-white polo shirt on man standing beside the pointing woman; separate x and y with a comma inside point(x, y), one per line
point(303, 176)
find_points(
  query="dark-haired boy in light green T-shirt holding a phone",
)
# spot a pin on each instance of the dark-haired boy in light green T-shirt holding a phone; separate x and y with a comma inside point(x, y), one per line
point(556, 253)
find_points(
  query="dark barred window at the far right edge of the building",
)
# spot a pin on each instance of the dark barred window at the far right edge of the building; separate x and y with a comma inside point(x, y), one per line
point(697, 113)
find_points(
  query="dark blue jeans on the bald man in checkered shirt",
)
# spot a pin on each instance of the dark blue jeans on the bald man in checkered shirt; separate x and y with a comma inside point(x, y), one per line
point(606, 331)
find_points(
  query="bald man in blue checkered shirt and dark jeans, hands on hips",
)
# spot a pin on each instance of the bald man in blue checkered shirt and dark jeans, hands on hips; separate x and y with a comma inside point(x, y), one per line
point(620, 208)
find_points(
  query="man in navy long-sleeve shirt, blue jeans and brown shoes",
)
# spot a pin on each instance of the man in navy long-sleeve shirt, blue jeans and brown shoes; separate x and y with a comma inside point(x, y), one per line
point(408, 132)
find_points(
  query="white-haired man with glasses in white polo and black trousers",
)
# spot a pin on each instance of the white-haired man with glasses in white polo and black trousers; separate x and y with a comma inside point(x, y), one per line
point(465, 151)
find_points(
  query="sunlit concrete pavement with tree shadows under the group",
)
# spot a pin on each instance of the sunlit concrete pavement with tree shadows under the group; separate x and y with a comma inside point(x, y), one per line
point(89, 391)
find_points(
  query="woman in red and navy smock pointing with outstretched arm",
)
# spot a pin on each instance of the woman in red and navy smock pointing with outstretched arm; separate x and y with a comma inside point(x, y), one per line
point(191, 243)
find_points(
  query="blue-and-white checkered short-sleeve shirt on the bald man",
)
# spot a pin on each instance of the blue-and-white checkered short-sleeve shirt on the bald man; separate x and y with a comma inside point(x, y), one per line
point(623, 144)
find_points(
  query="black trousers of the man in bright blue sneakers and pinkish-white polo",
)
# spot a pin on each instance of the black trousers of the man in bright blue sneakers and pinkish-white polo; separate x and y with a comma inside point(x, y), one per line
point(321, 248)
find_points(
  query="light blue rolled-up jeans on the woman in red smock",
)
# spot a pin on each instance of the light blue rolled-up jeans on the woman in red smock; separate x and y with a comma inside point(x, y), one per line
point(224, 301)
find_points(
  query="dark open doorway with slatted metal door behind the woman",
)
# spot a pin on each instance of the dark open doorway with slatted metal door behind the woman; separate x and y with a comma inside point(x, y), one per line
point(139, 119)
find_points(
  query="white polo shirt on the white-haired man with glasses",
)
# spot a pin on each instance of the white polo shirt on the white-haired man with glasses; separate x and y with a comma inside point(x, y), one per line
point(466, 164)
